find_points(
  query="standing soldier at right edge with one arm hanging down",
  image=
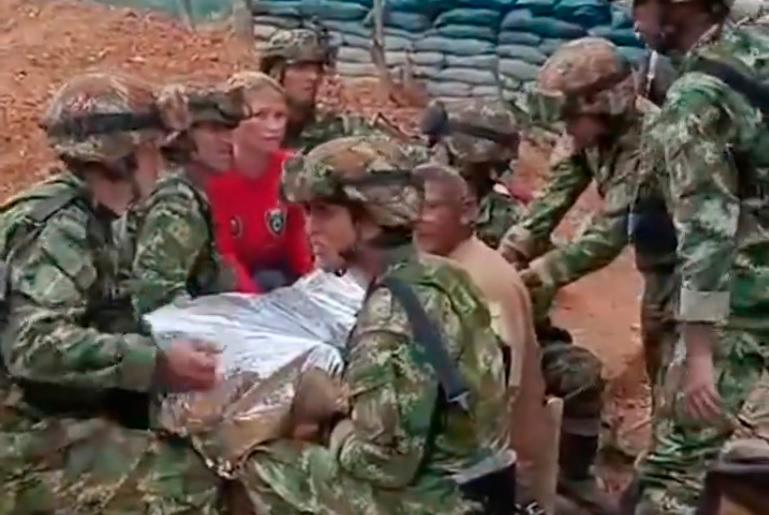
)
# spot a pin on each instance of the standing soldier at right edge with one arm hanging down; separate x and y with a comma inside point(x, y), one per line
point(707, 148)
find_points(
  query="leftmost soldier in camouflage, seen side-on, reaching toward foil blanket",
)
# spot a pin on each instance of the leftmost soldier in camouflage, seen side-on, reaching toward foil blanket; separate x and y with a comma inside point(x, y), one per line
point(68, 384)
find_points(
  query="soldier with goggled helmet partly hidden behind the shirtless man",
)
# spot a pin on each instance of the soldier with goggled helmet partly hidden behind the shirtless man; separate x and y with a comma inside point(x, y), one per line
point(480, 139)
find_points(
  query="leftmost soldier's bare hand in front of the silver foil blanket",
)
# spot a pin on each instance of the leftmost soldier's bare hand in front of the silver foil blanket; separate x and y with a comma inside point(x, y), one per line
point(187, 366)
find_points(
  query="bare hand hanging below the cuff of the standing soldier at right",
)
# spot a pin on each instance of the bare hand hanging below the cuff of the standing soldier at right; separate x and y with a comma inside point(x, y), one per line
point(703, 403)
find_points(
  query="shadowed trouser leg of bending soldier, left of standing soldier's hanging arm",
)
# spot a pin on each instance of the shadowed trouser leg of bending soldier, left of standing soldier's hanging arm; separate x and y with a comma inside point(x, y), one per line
point(658, 325)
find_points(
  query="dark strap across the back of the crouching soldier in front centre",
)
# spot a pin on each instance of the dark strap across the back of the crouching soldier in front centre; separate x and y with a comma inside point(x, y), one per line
point(428, 336)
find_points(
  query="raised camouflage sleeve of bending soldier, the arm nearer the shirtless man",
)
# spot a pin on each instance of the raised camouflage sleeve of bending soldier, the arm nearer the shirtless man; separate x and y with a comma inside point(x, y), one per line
point(569, 178)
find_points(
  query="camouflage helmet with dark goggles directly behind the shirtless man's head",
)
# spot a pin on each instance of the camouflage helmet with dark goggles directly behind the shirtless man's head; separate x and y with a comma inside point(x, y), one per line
point(473, 132)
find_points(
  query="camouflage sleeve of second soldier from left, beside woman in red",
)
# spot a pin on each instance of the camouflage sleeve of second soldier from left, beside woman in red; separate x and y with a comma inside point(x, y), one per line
point(170, 240)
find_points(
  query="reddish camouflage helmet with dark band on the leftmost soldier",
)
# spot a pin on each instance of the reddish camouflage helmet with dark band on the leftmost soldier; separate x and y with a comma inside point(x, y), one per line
point(101, 118)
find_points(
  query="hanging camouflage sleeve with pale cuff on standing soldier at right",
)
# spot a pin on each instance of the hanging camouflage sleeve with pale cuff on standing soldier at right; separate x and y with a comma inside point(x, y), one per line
point(696, 129)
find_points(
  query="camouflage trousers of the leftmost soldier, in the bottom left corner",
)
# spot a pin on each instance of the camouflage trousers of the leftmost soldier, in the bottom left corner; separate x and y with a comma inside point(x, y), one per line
point(93, 466)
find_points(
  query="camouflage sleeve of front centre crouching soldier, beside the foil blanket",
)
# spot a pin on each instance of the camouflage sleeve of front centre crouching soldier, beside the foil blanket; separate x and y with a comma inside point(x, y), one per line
point(392, 398)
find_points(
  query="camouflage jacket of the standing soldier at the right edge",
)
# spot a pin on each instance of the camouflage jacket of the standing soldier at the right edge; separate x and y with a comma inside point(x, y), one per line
point(713, 145)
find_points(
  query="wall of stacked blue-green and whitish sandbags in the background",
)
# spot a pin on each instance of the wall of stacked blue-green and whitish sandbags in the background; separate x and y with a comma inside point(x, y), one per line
point(457, 47)
